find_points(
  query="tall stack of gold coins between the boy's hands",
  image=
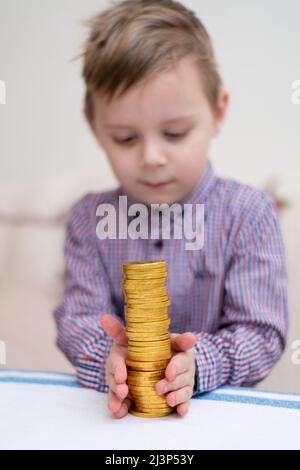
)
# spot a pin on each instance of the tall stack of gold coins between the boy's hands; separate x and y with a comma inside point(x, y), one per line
point(149, 344)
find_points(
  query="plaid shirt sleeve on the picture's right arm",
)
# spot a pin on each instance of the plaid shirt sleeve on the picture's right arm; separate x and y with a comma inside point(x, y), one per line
point(253, 326)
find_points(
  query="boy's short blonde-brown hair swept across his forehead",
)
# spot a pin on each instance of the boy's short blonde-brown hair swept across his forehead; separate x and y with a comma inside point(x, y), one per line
point(135, 39)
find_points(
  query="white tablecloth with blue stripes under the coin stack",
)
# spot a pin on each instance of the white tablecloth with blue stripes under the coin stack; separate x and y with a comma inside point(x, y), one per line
point(42, 410)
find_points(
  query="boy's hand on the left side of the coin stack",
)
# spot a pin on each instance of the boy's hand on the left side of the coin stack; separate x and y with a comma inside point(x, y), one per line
point(119, 399)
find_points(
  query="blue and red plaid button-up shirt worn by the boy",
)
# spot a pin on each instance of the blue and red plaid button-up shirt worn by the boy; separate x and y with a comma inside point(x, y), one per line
point(232, 293)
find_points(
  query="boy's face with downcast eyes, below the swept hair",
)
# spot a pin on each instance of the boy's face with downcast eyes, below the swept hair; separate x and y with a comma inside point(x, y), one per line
point(157, 135)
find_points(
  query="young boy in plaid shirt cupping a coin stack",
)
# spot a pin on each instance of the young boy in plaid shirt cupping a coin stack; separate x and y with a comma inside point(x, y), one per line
point(154, 102)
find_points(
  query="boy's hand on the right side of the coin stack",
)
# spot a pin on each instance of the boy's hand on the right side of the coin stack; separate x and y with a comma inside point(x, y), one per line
point(180, 373)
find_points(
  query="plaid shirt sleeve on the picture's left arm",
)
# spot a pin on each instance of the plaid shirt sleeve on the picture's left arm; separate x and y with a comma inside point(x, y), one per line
point(86, 297)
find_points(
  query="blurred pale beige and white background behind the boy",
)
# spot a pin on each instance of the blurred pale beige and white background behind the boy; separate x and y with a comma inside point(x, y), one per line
point(48, 158)
